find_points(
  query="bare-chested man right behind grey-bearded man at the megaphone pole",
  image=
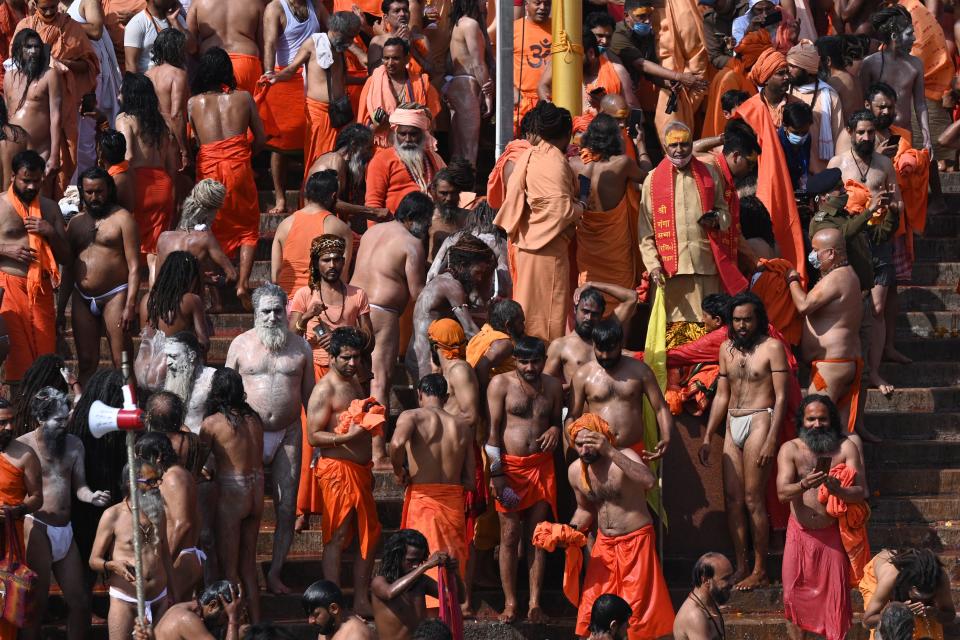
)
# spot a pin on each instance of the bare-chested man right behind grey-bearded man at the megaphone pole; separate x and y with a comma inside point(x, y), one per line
point(182, 508)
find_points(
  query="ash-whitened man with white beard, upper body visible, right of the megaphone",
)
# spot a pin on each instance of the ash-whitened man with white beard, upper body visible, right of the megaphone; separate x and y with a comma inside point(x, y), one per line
point(186, 376)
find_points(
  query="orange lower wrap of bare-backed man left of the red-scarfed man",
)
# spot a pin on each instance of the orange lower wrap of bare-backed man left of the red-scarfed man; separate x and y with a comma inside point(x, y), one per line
point(604, 252)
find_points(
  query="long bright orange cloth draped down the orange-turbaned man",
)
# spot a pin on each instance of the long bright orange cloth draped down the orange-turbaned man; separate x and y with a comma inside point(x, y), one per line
point(773, 181)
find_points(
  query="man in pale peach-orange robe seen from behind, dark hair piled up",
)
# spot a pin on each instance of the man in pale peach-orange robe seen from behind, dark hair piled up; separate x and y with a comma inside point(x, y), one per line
point(539, 214)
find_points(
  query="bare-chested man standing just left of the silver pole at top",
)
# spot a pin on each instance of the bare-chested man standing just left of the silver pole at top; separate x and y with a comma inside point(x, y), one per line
point(468, 91)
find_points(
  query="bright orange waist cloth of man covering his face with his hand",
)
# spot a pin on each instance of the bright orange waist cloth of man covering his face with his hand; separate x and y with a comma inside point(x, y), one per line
point(628, 566)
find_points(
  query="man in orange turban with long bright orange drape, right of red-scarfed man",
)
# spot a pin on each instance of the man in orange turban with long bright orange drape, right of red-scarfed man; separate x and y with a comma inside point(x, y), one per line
point(773, 180)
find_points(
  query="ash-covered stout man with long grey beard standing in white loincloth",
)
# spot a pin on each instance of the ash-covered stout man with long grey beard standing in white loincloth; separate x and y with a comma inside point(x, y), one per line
point(277, 370)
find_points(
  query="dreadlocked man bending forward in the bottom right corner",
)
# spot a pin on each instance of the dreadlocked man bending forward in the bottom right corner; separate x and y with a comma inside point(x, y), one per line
point(914, 577)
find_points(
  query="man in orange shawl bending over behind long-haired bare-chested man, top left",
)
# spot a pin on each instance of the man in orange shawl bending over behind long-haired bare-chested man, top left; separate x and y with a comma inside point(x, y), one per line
point(69, 46)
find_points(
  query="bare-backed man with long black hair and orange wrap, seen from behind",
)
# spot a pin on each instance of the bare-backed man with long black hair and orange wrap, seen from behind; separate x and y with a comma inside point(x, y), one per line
point(220, 123)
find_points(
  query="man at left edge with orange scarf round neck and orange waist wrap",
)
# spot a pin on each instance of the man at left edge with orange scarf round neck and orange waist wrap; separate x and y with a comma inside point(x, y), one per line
point(29, 278)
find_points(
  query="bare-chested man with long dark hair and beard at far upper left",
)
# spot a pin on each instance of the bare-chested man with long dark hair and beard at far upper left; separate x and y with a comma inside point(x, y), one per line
point(32, 91)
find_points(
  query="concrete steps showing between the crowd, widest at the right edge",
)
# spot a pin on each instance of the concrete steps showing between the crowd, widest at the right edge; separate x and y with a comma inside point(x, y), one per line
point(914, 474)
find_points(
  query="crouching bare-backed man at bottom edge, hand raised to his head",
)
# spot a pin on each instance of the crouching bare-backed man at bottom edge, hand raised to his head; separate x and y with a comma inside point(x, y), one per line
point(219, 605)
